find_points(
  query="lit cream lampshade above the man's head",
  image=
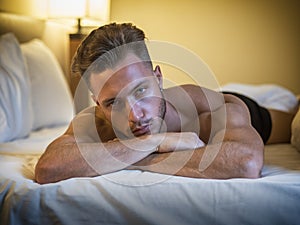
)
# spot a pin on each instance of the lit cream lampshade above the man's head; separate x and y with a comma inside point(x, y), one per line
point(80, 9)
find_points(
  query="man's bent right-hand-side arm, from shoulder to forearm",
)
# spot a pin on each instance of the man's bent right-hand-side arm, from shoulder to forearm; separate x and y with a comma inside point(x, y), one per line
point(235, 150)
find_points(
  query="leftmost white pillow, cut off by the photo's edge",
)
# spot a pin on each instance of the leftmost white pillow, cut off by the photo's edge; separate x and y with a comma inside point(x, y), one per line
point(15, 99)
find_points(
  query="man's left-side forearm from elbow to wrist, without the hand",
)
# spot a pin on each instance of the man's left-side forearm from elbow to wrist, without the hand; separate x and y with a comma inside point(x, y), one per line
point(64, 158)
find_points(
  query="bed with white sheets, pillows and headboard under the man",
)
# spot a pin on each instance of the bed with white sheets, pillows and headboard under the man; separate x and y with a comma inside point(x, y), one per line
point(124, 197)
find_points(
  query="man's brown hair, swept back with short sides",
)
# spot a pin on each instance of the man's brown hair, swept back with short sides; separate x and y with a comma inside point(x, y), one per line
point(104, 47)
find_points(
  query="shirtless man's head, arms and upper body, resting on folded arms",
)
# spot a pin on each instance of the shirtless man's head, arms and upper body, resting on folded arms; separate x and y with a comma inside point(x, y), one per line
point(138, 125)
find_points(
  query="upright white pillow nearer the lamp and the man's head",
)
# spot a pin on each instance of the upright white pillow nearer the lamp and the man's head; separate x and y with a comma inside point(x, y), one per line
point(51, 98)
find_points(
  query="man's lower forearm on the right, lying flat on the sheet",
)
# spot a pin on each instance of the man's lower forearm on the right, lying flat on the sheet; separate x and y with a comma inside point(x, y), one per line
point(217, 161)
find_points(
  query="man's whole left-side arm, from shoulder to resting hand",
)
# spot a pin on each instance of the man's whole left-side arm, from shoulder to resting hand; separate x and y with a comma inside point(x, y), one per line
point(80, 153)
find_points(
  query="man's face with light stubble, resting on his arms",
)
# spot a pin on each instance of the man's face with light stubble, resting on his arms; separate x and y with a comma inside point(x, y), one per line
point(131, 98)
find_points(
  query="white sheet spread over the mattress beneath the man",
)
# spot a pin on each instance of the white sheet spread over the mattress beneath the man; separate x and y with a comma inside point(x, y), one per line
point(135, 197)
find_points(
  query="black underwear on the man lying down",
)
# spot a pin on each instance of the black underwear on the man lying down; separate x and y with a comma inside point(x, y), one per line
point(260, 116)
